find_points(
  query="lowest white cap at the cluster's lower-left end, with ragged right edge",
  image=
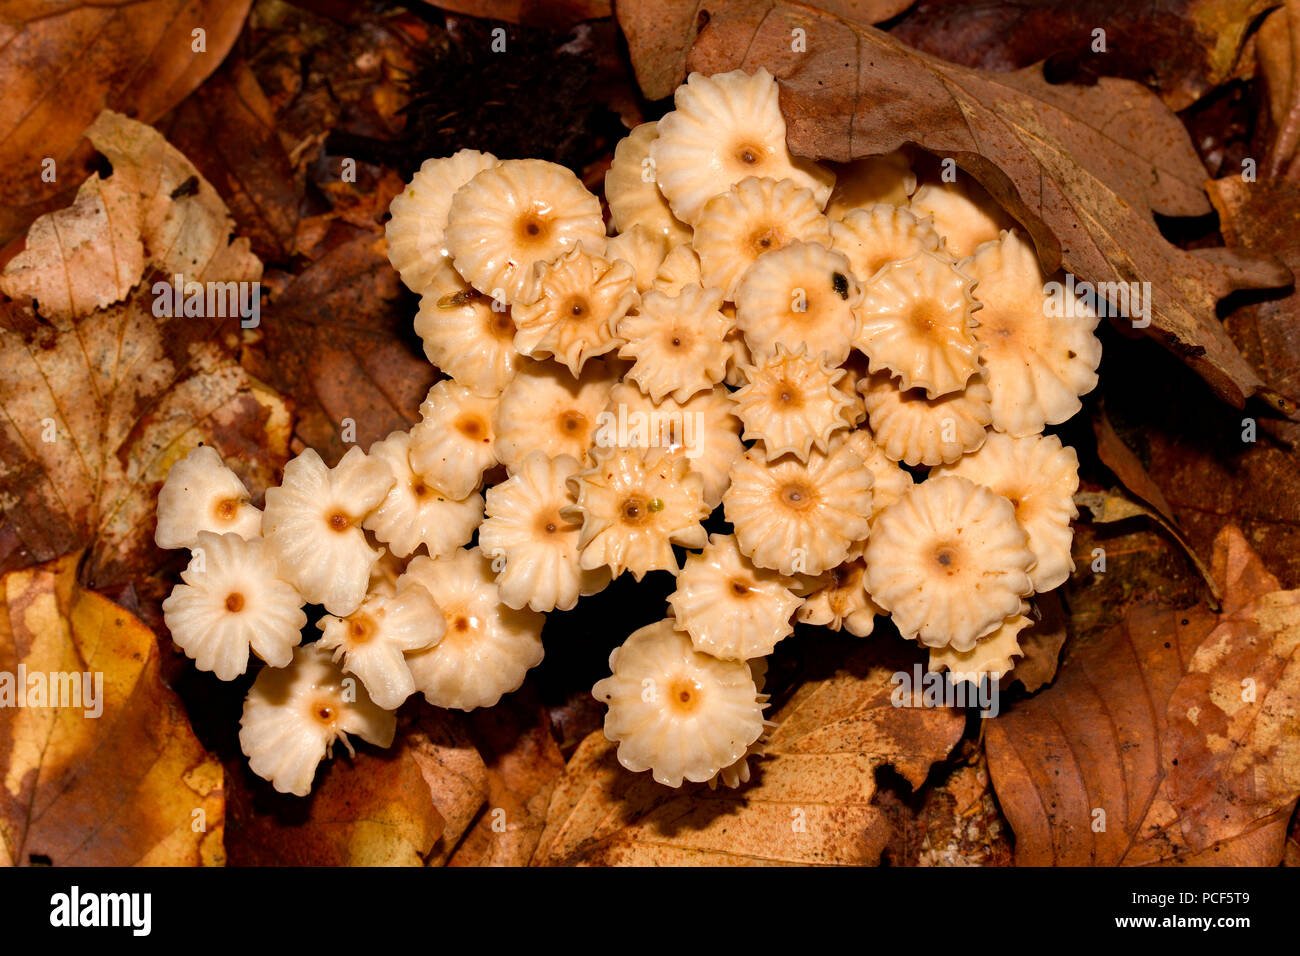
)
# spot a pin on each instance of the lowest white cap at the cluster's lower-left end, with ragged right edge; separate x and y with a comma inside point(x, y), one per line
point(294, 715)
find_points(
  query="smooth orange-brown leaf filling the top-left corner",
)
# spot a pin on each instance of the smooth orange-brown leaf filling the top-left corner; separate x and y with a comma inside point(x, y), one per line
point(66, 63)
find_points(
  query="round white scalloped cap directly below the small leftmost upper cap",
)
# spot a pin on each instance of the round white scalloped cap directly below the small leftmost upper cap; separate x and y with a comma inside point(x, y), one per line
point(232, 600)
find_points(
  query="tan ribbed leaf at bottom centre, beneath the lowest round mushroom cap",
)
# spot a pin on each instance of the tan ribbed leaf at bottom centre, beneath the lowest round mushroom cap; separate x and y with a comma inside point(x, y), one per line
point(811, 801)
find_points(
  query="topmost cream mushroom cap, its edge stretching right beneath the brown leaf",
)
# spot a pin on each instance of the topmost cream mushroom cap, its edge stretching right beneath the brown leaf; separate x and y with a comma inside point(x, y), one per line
point(726, 128)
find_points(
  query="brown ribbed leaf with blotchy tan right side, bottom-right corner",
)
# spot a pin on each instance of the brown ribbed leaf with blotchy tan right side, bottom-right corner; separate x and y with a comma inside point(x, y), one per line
point(1142, 752)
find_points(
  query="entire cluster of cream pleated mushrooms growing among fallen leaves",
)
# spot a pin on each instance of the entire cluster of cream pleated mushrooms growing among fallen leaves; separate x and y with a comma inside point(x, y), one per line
point(856, 370)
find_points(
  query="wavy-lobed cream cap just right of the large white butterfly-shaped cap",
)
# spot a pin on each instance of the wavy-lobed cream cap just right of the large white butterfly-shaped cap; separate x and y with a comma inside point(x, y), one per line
point(414, 512)
